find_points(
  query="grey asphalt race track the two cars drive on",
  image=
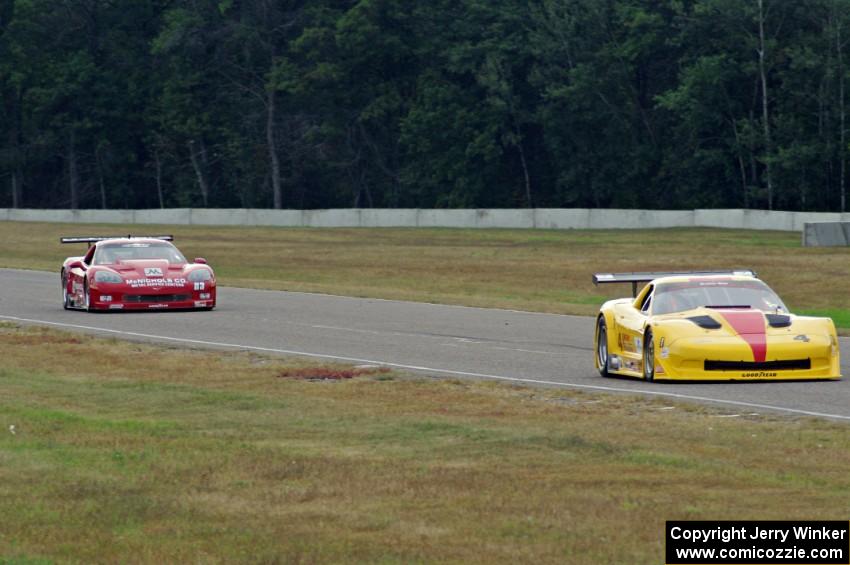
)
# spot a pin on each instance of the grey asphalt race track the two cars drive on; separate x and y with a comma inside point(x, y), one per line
point(519, 347)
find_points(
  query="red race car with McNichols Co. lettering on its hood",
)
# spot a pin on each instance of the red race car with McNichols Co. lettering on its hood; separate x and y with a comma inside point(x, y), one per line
point(135, 273)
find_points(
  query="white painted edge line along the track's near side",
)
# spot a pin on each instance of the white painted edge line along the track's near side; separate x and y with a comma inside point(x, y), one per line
point(433, 369)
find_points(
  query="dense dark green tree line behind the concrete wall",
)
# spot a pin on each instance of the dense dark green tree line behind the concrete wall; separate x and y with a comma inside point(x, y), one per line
point(424, 103)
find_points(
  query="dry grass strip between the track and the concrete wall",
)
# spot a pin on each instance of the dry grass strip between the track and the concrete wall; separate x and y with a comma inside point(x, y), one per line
point(541, 270)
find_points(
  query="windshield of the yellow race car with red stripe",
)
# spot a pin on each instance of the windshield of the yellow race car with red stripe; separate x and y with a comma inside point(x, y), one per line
point(678, 297)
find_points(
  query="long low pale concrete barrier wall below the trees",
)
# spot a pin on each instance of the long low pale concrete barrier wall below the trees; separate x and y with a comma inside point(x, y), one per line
point(540, 218)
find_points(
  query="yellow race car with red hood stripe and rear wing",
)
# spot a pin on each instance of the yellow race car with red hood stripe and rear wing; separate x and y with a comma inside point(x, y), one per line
point(709, 326)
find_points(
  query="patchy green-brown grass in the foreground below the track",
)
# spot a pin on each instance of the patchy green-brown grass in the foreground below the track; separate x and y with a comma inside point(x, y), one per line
point(124, 452)
